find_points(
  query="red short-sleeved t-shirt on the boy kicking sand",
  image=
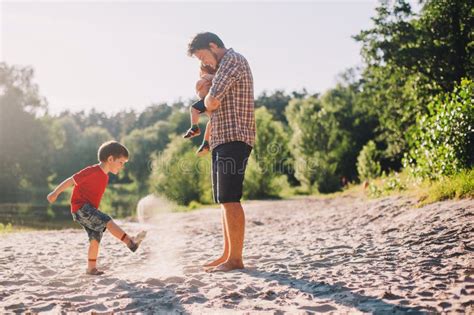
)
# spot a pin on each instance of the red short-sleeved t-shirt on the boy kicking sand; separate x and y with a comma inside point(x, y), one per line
point(90, 184)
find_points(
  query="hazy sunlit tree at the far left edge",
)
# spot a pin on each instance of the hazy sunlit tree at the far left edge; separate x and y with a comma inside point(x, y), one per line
point(24, 147)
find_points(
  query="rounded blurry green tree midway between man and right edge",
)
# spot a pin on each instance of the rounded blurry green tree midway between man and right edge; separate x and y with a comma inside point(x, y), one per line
point(328, 133)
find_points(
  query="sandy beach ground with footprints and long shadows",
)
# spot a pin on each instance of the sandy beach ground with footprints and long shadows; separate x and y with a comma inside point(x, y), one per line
point(303, 256)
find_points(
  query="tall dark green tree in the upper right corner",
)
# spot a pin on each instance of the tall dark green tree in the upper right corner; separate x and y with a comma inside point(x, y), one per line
point(410, 59)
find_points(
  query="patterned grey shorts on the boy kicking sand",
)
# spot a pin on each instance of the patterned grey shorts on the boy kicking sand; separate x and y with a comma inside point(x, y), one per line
point(92, 220)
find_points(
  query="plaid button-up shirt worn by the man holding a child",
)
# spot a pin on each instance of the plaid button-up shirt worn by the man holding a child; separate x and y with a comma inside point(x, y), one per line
point(232, 85)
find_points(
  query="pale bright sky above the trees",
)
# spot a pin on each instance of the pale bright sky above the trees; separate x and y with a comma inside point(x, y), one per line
point(117, 55)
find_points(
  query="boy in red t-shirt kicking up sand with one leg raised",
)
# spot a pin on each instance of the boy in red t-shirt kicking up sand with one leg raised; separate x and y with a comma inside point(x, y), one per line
point(89, 186)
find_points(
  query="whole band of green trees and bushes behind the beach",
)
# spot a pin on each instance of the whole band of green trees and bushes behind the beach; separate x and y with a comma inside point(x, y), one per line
point(409, 107)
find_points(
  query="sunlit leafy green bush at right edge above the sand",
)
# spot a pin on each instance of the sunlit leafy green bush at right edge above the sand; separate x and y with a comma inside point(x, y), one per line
point(442, 143)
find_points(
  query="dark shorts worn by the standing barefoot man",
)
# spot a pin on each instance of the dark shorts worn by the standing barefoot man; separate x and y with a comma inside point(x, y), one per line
point(229, 161)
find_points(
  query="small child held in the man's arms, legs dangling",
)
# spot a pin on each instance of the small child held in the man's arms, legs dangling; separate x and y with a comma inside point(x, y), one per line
point(202, 87)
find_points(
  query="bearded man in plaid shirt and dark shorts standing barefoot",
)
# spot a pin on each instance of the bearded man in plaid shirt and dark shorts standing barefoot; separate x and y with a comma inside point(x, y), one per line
point(230, 102)
